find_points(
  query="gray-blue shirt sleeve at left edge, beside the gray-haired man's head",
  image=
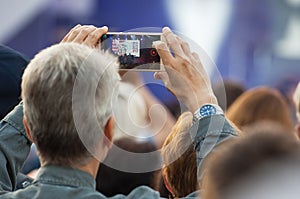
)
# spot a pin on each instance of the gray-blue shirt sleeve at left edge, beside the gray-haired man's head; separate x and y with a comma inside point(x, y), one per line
point(14, 148)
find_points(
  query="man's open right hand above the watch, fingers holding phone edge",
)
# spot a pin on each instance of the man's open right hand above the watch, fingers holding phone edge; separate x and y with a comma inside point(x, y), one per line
point(184, 74)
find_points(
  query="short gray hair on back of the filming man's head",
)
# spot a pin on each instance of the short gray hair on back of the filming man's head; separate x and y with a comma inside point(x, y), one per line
point(64, 88)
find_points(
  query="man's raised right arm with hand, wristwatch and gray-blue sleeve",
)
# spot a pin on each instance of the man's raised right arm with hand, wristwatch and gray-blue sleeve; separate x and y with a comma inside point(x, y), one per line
point(187, 79)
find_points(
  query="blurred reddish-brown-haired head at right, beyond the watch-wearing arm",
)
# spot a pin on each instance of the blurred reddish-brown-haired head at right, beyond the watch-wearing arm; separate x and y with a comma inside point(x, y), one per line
point(260, 104)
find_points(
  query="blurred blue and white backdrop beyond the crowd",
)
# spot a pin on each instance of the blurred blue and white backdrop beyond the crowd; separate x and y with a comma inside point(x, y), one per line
point(253, 42)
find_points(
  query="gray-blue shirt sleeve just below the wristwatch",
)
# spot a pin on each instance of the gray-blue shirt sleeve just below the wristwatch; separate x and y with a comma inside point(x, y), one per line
point(207, 133)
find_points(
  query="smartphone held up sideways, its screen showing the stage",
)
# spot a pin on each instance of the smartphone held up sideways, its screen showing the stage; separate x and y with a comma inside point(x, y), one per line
point(134, 50)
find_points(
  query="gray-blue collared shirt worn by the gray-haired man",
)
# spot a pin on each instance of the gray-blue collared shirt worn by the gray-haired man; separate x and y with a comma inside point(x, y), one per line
point(65, 182)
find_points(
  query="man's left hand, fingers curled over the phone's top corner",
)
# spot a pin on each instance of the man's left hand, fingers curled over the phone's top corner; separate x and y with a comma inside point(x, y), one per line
point(88, 35)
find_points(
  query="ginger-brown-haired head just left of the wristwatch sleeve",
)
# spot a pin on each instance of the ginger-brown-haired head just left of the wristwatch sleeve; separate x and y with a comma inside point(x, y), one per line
point(179, 159)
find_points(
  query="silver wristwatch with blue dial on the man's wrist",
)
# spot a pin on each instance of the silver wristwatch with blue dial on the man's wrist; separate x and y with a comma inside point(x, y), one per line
point(207, 110)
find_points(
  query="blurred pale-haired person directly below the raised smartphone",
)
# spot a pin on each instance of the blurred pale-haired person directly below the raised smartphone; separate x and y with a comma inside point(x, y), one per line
point(140, 115)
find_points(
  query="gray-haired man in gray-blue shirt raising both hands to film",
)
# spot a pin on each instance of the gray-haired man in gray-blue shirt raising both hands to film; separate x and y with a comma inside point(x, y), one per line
point(68, 91)
